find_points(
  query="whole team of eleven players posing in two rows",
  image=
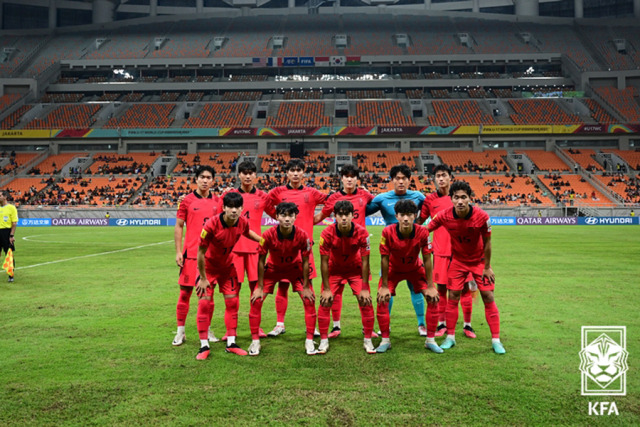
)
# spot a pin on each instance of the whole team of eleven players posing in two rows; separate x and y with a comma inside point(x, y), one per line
point(223, 241)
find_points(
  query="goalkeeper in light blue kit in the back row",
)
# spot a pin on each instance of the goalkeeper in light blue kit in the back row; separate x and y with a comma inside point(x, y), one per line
point(385, 202)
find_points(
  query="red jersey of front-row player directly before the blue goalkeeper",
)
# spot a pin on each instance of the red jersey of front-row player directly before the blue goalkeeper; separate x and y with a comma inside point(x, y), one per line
point(404, 252)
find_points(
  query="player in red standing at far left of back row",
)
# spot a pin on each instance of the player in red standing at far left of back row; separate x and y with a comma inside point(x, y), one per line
point(193, 211)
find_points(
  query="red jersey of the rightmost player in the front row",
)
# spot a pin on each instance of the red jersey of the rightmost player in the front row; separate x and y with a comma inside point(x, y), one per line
point(466, 233)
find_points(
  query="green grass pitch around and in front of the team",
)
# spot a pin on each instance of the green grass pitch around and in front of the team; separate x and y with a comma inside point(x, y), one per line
point(88, 341)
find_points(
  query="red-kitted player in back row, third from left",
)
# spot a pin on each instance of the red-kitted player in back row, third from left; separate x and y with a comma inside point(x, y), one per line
point(306, 199)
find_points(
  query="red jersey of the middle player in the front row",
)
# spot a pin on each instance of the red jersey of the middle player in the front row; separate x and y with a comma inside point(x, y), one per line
point(345, 252)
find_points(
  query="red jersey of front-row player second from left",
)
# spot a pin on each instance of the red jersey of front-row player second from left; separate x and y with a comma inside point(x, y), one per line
point(284, 251)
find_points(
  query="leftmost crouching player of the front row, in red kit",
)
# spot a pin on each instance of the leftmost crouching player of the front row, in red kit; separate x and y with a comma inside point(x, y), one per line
point(215, 265)
